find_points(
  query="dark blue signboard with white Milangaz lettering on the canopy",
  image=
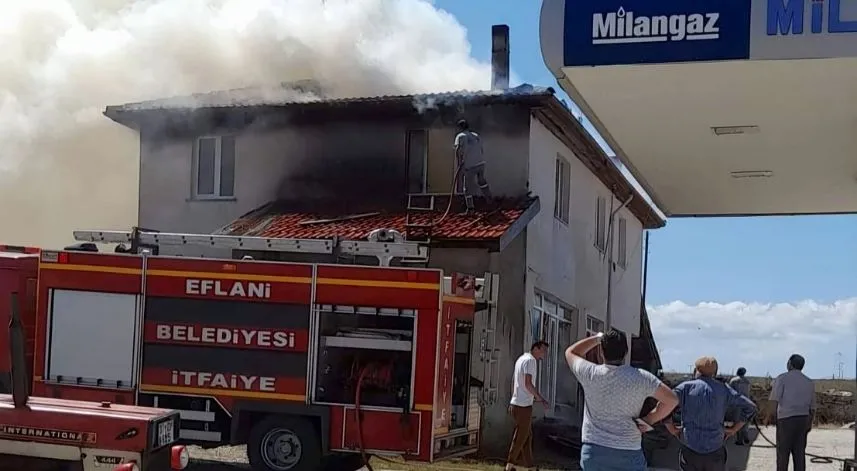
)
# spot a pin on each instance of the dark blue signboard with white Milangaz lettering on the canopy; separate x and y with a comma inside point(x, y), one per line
point(606, 32)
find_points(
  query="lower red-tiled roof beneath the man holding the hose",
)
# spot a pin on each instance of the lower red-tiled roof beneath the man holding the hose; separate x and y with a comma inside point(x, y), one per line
point(500, 222)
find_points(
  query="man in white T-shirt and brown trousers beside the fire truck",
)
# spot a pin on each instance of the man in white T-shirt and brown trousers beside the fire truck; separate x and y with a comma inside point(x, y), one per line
point(524, 393)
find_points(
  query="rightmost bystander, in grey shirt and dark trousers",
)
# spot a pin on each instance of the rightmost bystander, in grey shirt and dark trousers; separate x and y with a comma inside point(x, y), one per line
point(794, 394)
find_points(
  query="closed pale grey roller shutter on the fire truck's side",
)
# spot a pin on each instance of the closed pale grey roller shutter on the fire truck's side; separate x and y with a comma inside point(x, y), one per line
point(92, 338)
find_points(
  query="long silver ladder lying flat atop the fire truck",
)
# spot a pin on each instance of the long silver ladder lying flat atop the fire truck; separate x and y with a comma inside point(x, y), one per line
point(383, 250)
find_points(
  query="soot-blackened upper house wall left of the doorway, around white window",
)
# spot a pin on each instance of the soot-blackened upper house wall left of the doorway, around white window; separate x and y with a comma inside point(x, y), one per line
point(293, 162)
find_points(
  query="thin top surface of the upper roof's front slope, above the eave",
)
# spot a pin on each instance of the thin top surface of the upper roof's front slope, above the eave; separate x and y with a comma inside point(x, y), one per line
point(294, 95)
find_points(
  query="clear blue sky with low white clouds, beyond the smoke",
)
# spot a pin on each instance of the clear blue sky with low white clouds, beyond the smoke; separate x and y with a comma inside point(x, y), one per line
point(713, 281)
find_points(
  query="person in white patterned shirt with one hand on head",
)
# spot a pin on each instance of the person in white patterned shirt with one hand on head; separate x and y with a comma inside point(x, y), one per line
point(614, 394)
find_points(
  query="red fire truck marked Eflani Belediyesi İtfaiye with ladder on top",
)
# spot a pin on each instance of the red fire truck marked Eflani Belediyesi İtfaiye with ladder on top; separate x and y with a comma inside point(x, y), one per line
point(306, 363)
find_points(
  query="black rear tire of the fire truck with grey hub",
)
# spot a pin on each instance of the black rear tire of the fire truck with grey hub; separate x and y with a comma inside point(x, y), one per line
point(284, 443)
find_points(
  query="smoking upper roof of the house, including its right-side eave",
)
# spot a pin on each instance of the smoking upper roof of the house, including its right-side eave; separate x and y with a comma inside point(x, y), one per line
point(542, 102)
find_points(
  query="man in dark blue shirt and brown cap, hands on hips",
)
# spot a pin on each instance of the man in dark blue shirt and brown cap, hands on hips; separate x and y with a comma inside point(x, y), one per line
point(703, 403)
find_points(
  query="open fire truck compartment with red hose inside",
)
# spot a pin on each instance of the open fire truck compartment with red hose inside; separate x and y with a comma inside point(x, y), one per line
point(351, 338)
